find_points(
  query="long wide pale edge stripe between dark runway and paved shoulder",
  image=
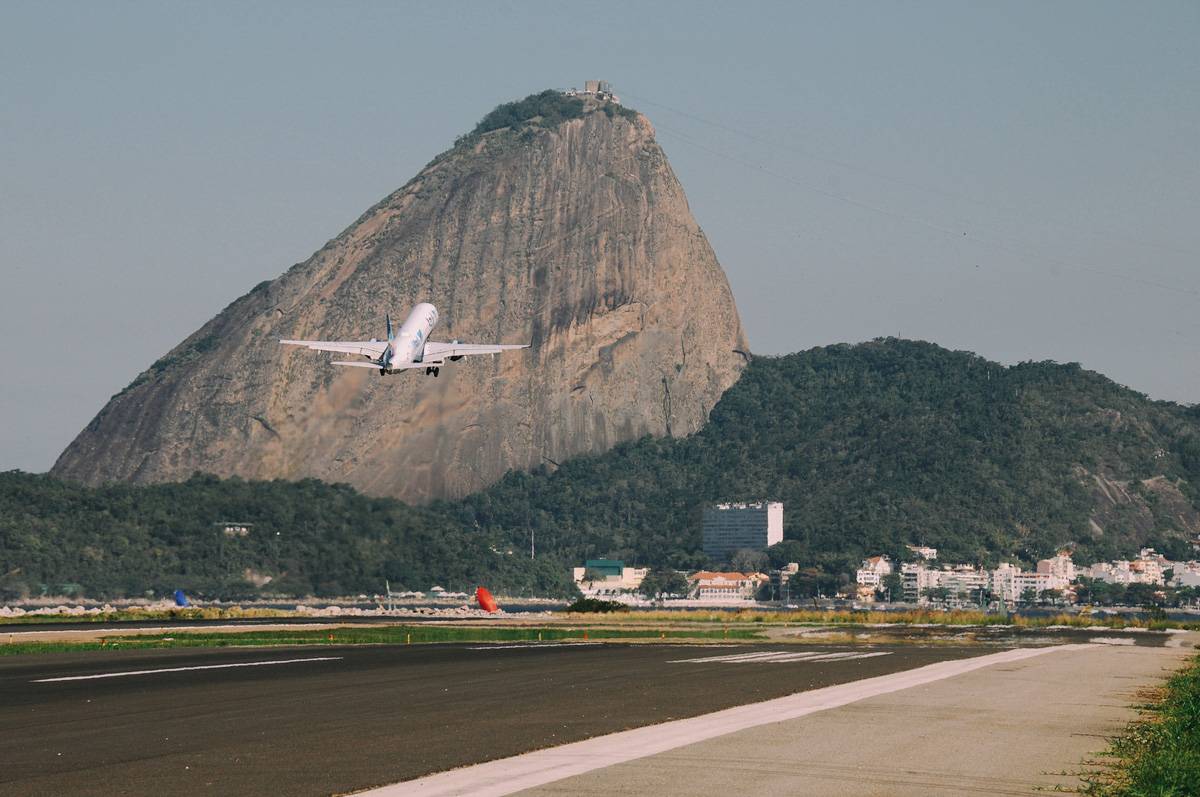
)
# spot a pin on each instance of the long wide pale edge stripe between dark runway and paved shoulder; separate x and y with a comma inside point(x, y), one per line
point(530, 770)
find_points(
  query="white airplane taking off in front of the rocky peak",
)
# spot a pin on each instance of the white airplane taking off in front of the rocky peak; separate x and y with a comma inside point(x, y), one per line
point(409, 347)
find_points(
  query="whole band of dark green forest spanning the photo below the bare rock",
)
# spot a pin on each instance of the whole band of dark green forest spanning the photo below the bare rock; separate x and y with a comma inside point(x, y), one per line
point(869, 447)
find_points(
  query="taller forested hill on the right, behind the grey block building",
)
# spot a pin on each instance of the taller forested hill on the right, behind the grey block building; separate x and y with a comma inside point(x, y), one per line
point(878, 446)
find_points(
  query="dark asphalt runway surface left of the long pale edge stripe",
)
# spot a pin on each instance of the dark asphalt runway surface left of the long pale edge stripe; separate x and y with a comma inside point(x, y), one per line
point(332, 720)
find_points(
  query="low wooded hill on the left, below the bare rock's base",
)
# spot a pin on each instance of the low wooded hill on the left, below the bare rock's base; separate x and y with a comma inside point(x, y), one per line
point(309, 537)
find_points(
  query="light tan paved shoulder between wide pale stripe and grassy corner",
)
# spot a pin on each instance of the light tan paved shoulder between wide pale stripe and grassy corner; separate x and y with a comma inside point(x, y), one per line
point(1006, 729)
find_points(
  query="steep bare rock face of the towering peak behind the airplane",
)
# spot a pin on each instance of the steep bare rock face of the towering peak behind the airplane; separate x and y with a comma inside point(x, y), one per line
point(573, 235)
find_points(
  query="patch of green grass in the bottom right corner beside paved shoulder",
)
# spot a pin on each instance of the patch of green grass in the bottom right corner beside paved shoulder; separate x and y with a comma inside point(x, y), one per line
point(1160, 756)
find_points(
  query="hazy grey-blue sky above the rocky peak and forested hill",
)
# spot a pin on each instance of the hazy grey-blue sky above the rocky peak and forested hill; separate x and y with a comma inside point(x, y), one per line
point(1017, 179)
